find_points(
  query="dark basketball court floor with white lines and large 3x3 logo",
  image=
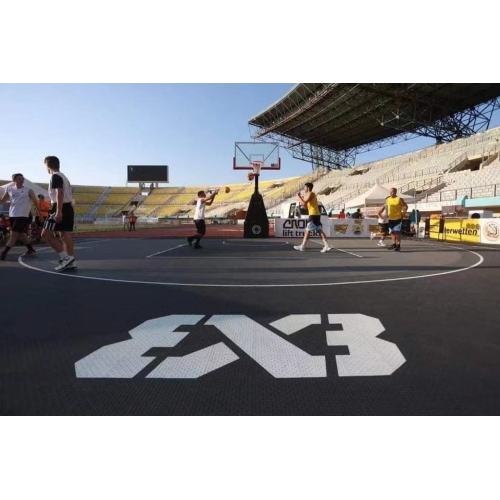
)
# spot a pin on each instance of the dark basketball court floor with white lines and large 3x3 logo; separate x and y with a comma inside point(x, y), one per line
point(250, 326)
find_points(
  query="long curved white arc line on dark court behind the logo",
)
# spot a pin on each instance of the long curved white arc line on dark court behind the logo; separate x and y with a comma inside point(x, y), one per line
point(287, 285)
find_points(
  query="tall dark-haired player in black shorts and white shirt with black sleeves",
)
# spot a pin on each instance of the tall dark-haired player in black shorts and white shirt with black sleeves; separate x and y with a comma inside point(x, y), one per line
point(61, 216)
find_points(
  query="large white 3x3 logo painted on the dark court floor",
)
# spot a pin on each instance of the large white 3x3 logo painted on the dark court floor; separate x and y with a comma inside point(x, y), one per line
point(368, 354)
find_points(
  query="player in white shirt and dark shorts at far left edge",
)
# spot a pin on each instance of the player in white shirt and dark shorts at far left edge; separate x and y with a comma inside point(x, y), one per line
point(22, 199)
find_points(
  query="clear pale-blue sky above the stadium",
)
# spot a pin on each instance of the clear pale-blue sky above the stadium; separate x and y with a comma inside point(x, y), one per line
point(97, 130)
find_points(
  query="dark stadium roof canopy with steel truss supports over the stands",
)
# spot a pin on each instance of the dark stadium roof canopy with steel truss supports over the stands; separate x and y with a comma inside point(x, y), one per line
point(344, 118)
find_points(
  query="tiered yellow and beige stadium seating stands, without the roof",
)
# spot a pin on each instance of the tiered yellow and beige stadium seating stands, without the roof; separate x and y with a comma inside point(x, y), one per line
point(462, 172)
